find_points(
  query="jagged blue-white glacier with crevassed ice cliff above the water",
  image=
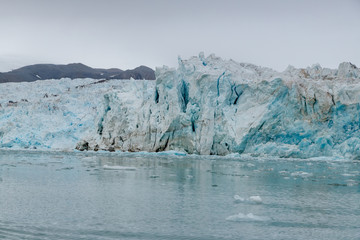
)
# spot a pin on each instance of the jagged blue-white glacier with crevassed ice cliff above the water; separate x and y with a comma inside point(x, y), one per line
point(206, 106)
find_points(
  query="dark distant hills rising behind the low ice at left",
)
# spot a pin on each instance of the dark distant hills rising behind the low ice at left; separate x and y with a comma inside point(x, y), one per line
point(74, 70)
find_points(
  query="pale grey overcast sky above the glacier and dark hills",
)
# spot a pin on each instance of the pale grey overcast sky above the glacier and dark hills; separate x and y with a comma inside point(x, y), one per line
point(129, 33)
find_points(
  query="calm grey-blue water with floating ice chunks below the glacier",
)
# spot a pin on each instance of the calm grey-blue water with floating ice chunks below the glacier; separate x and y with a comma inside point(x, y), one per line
point(72, 196)
